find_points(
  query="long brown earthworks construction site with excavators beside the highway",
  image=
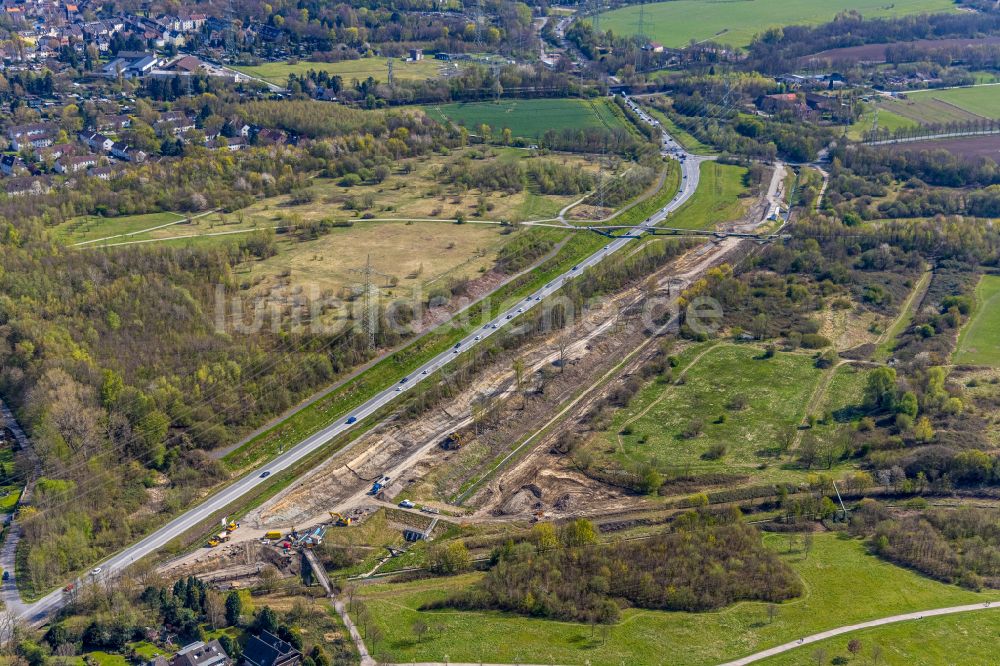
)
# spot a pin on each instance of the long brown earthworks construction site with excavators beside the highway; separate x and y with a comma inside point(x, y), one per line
point(492, 461)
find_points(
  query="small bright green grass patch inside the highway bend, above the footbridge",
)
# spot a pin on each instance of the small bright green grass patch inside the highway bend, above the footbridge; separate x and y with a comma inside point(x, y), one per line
point(717, 200)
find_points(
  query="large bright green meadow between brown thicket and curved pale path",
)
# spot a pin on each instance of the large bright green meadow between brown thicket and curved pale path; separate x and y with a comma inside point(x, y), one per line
point(843, 585)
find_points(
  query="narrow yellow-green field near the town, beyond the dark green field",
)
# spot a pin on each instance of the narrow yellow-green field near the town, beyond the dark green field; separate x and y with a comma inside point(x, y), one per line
point(277, 72)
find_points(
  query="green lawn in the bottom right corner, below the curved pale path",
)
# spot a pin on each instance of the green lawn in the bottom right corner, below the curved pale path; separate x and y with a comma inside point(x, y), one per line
point(965, 638)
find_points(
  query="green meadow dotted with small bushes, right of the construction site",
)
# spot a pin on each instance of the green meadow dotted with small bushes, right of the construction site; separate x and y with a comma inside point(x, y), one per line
point(777, 391)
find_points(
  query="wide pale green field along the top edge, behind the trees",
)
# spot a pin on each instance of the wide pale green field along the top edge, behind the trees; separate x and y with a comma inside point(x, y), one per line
point(675, 24)
